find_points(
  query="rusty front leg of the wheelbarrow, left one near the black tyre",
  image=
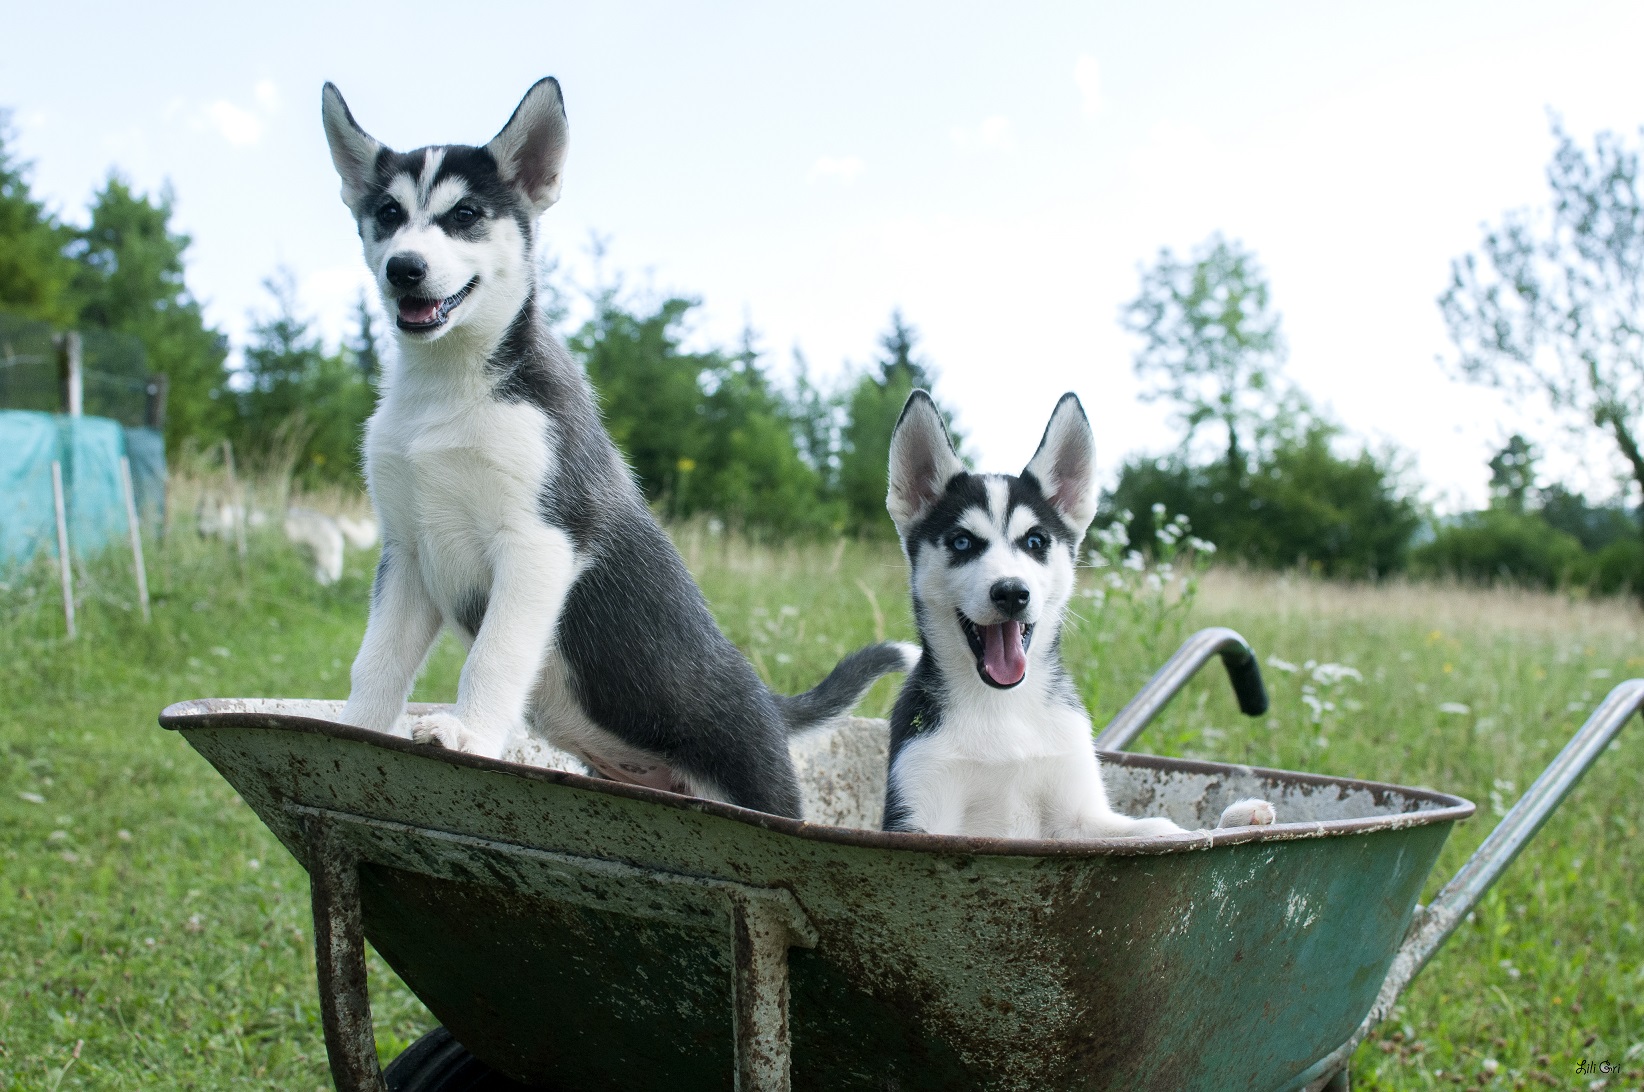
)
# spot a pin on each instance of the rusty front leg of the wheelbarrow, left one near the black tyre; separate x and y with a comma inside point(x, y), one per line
point(339, 958)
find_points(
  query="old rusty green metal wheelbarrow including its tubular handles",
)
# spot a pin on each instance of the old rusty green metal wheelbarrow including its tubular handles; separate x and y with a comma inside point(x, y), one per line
point(576, 933)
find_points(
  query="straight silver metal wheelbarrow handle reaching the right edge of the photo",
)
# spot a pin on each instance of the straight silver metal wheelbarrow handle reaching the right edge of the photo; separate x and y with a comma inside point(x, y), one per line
point(1434, 925)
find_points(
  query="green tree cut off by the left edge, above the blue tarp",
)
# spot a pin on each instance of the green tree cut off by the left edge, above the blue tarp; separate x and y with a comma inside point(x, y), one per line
point(35, 275)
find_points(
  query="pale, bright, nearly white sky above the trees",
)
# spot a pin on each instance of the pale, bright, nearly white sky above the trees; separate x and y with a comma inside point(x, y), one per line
point(997, 174)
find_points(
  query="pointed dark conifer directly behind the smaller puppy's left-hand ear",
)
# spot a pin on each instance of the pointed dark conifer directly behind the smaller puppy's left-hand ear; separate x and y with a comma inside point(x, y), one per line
point(874, 405)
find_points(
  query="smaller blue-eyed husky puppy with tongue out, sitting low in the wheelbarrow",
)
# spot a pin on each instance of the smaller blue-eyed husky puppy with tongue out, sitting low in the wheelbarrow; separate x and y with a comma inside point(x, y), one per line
point(989, 736)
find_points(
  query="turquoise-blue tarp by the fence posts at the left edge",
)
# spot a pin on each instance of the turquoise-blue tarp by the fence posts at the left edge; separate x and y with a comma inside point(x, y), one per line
point(90, 451)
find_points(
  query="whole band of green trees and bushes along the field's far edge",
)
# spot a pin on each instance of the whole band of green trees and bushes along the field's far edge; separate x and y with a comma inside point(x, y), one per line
point(1546, 310)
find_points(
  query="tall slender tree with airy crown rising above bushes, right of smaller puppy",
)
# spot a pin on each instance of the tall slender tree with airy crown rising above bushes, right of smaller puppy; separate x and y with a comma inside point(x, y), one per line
point(1211, 343)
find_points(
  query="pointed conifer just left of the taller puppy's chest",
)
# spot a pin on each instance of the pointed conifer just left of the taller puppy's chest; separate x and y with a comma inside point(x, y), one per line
point(295, 400)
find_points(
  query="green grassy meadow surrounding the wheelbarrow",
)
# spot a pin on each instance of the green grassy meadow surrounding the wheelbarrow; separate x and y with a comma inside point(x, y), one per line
point(155, 935)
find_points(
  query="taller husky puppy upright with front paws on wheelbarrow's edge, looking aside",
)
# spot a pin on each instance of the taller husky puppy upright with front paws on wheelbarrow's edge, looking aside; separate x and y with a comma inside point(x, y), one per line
point(509, 516)
